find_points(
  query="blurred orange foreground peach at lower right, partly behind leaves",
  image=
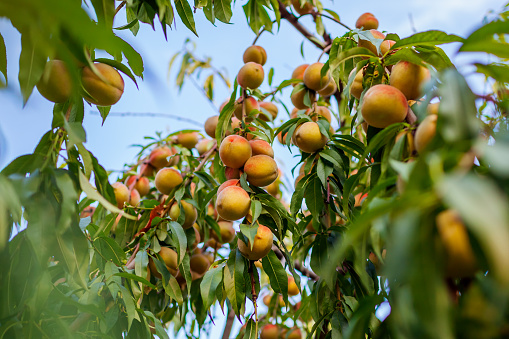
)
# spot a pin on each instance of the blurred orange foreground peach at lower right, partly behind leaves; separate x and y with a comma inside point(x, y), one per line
point(461, 261)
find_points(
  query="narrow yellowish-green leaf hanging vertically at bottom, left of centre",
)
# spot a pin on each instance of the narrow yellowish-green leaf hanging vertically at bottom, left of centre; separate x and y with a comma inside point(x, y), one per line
point(234, 283)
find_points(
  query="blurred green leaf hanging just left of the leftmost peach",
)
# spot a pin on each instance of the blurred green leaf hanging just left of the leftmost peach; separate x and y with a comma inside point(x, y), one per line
point(31, 65)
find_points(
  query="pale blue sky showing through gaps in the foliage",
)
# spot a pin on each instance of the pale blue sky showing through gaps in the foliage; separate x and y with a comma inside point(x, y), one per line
point(22, 127)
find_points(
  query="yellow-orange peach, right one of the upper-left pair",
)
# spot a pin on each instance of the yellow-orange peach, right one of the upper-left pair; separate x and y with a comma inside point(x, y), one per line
point(105, 90)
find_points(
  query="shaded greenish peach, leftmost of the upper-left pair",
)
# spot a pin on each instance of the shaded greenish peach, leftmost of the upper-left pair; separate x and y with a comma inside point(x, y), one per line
point(56, 83)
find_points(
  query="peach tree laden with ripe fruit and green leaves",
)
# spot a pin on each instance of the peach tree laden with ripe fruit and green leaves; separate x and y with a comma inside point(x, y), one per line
point(400, 199)
